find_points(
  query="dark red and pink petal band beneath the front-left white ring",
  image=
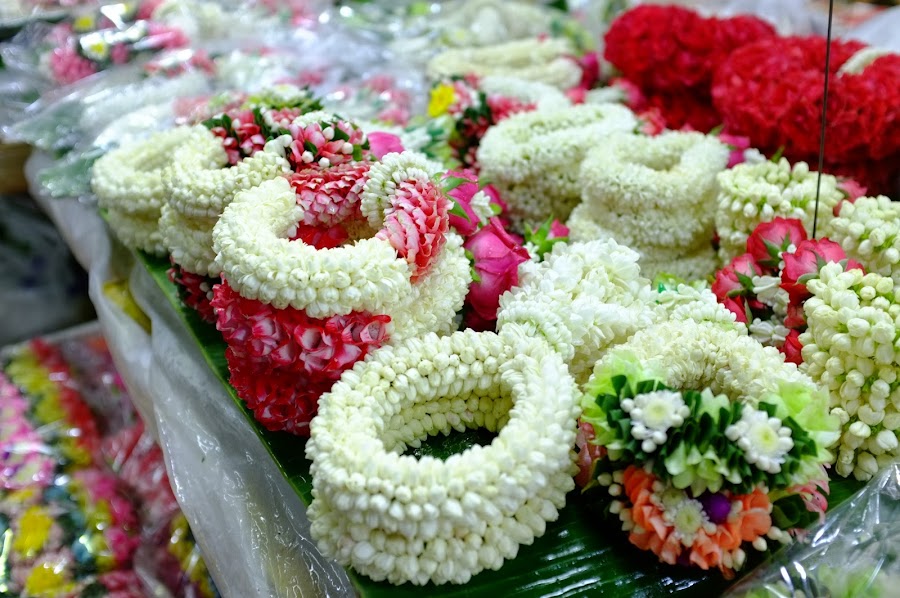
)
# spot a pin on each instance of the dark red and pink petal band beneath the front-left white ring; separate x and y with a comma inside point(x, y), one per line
point(281, 360)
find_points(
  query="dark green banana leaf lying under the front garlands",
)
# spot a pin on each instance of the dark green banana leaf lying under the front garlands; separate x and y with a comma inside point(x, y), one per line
point(580, 553)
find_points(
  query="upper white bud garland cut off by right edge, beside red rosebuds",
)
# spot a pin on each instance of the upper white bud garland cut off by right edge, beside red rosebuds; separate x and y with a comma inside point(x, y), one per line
point(869, 231)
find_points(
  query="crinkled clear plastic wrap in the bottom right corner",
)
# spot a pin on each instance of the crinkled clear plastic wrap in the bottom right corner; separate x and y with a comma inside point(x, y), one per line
point(853, 554)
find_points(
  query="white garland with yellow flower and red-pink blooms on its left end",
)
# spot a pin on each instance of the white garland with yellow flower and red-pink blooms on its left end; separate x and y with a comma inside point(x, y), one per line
point(472, 105)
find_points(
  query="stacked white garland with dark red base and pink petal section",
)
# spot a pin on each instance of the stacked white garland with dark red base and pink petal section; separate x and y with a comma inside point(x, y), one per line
point(312, 283)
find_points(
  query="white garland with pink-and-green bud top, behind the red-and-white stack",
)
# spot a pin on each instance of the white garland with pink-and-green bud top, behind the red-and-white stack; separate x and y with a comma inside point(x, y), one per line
point(230, 152)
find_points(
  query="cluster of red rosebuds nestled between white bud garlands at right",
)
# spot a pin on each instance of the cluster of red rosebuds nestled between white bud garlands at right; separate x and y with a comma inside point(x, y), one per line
point(767, 248)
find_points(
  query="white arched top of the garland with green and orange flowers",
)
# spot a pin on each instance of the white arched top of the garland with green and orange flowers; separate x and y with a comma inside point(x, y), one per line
point(710, 354)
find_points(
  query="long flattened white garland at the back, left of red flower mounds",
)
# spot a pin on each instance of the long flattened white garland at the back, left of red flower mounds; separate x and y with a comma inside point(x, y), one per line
point(546, 61)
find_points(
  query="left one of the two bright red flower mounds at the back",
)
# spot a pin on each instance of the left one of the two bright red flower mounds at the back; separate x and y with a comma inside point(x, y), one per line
point(672, 53)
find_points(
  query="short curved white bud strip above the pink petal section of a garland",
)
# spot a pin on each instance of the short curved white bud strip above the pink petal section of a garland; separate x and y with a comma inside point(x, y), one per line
point(383, 178)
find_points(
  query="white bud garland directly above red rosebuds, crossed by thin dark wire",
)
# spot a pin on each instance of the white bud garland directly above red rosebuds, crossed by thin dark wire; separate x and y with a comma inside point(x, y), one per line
point(750, 194)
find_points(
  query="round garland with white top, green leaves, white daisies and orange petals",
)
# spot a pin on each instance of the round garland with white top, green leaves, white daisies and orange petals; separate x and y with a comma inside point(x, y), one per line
point(705, 442)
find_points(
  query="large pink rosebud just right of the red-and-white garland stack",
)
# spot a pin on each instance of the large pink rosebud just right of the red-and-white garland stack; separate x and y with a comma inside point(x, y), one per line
point(497, 257)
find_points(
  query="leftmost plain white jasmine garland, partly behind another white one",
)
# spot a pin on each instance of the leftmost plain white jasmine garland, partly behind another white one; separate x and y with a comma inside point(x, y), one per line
point(129, 178)
